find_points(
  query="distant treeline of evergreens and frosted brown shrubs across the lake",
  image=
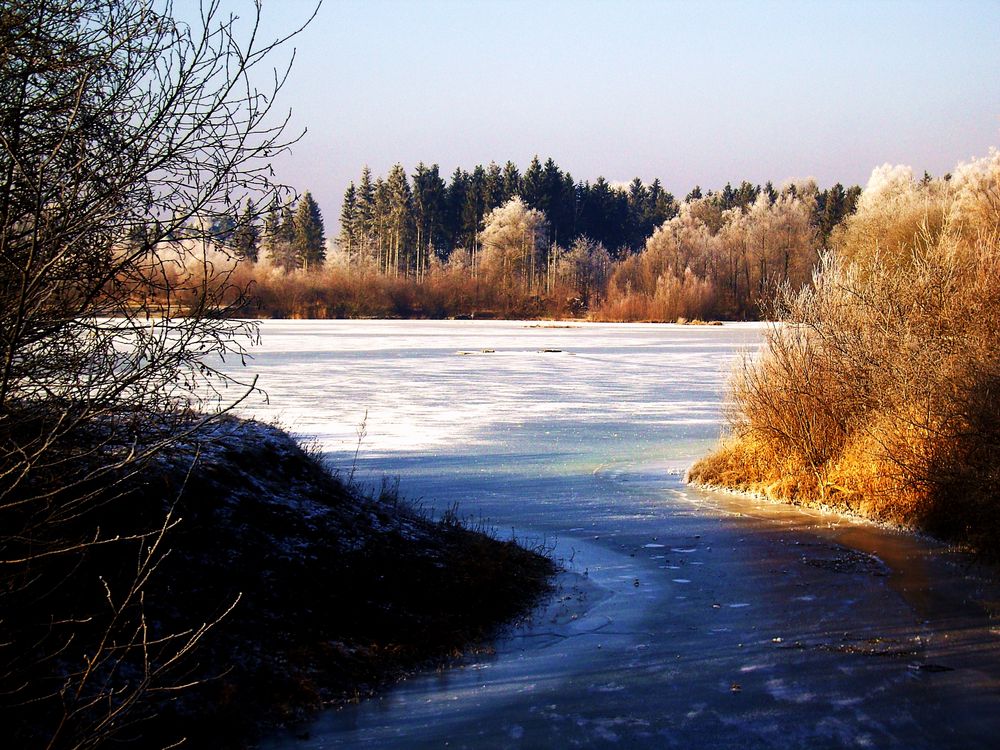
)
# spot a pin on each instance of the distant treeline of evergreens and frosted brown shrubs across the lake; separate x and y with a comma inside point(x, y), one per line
point(496, 242)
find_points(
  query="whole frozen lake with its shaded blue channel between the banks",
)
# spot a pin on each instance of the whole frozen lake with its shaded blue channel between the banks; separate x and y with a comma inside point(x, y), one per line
point(684, 618)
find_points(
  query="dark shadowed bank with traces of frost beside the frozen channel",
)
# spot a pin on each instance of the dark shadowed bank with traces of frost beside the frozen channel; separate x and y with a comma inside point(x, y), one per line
point(336, 595)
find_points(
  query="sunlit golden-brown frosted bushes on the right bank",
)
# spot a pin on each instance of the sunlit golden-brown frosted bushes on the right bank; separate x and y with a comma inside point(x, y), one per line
point(879, 394)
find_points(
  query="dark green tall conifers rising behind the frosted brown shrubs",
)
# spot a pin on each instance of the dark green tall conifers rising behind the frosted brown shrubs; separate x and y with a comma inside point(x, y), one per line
point(401, 221)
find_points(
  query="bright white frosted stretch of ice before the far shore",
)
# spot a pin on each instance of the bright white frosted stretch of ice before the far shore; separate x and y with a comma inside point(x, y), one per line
point(422, 397)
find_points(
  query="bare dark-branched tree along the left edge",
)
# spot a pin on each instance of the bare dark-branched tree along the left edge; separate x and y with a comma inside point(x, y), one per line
point(127, 139)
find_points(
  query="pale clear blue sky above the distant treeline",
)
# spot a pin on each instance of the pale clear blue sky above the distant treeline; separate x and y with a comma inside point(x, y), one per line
point(690, 92)
